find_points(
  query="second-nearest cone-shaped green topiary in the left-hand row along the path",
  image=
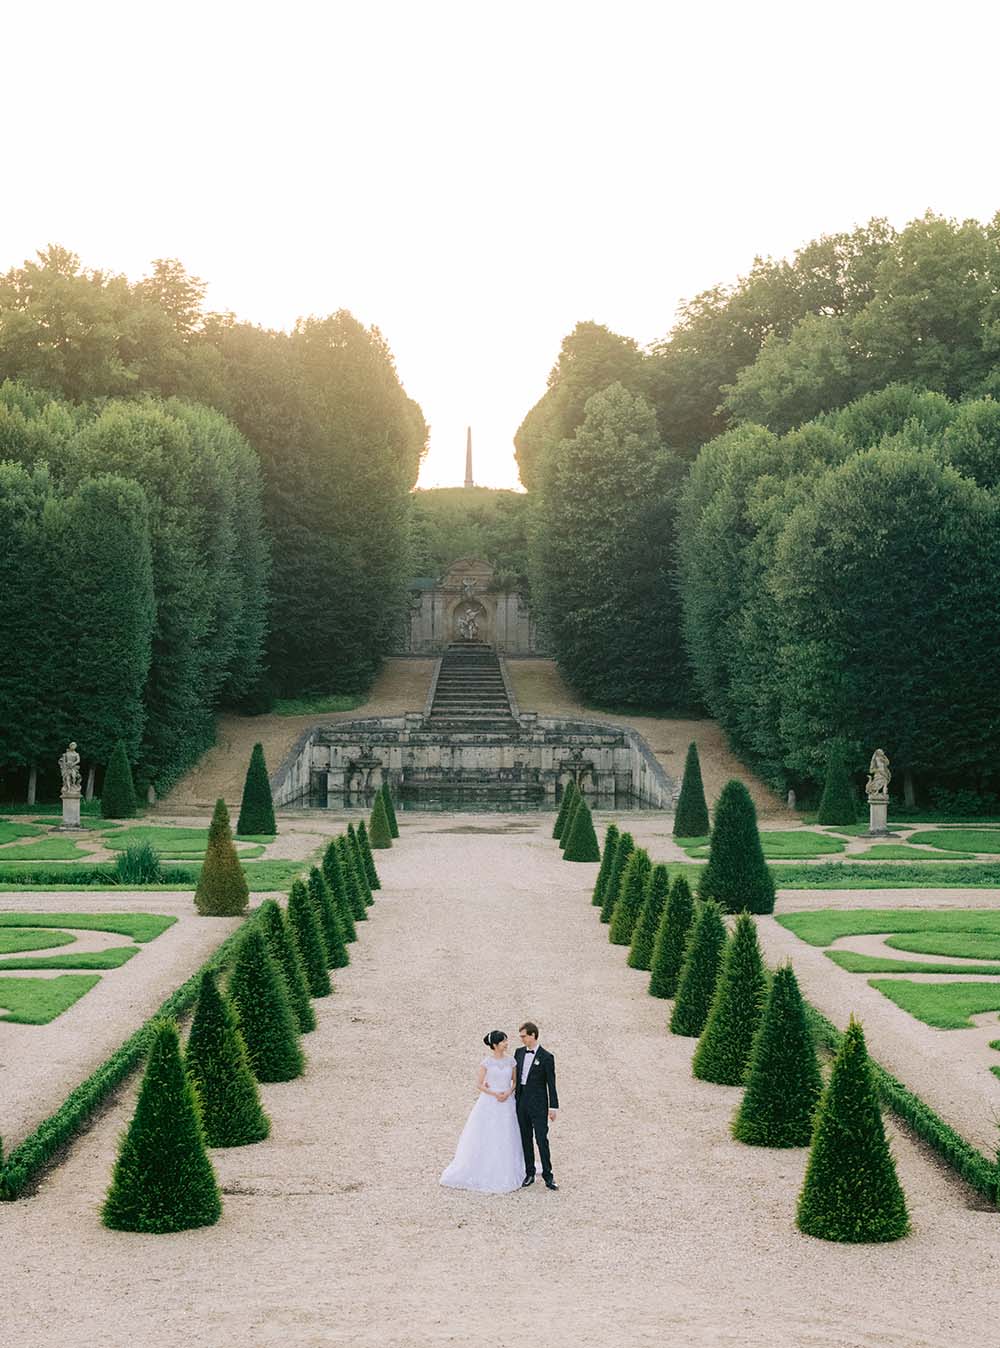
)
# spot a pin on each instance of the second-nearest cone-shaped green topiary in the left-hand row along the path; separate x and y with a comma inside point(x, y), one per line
point(218, 1064)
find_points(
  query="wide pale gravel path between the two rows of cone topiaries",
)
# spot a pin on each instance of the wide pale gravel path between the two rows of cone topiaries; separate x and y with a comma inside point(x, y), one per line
point(336, 1231)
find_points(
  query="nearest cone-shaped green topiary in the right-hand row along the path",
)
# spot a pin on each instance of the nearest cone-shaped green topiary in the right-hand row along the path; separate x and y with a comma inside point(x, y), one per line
point(851, 1191)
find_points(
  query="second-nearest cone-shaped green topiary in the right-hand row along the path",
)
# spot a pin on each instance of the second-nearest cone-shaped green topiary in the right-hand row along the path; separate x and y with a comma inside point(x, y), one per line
point(784, 1079)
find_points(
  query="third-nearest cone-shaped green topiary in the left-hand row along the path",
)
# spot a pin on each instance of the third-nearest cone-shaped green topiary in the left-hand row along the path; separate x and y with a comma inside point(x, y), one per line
point(266, 1020)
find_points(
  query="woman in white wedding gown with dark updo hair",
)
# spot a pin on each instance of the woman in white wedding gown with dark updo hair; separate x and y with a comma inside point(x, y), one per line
point(490, 1157)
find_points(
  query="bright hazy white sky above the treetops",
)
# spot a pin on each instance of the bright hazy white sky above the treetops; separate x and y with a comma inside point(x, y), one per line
point(476, 179)
